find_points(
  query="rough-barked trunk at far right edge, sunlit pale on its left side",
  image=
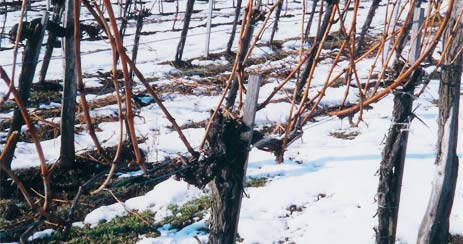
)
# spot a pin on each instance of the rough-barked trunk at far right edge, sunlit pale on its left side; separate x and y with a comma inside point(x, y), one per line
point(435, 225)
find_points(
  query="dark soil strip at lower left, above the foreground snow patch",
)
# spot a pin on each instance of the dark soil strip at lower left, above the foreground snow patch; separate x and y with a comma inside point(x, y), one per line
point(15, 216)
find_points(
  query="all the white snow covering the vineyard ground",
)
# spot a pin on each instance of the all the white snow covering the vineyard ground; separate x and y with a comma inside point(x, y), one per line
point(329, 181)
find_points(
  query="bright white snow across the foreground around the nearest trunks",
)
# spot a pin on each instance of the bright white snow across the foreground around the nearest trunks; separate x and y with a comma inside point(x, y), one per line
point(331, 182)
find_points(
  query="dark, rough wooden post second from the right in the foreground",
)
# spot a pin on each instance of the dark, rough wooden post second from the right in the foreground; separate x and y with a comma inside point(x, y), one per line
point(395, 148)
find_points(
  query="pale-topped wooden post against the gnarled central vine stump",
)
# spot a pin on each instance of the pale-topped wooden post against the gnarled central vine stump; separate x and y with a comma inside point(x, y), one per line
point(227, 187)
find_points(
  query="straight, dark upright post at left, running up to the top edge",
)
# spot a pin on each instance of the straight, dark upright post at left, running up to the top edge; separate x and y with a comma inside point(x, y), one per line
point(67, 150)
